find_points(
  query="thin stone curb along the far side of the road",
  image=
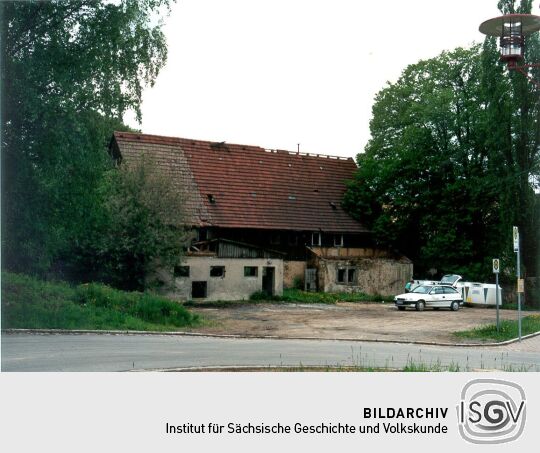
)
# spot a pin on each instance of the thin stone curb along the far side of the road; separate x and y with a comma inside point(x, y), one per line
point(257, 337)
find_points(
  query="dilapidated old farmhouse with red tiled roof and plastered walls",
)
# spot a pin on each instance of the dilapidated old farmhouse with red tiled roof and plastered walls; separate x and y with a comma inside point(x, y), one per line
point(264, 219)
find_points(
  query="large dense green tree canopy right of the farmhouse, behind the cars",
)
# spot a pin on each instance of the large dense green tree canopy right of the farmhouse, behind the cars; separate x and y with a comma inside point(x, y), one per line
point(453, 161)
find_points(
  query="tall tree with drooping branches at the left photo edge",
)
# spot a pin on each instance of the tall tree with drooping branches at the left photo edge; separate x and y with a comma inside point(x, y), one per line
point(70, 70)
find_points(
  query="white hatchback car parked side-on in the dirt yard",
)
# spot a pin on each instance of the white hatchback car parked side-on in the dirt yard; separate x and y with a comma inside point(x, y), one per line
point(430, 296)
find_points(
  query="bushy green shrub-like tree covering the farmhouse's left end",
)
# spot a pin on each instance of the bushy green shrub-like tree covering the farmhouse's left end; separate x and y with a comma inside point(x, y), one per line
point(141, 229)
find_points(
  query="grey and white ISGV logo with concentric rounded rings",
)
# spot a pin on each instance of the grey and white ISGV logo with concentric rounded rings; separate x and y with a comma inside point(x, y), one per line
point(491, 411)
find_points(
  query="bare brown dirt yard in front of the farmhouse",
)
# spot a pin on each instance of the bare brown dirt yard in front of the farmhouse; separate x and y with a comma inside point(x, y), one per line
point(362, 321)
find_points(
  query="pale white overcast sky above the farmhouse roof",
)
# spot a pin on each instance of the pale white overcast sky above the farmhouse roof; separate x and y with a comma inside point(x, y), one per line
point(275, 73)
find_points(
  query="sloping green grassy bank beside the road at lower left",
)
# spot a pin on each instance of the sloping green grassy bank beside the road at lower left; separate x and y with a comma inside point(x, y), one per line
point(35, 304)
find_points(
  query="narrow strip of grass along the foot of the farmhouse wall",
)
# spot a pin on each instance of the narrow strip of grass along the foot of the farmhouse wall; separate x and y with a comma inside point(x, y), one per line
point(295, 296)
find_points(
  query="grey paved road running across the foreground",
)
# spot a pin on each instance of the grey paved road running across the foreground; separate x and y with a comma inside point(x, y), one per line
point(90, 352)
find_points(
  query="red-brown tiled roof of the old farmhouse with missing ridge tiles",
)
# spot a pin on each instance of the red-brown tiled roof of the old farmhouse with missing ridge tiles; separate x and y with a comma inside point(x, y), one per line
point(240, 186)
